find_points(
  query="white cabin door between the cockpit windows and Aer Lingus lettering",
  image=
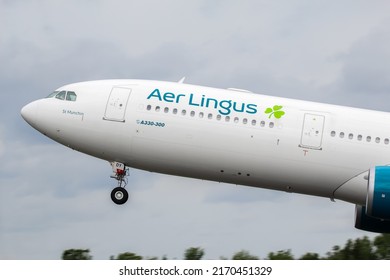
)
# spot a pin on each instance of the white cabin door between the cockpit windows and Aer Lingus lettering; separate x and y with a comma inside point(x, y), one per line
point(117, 104)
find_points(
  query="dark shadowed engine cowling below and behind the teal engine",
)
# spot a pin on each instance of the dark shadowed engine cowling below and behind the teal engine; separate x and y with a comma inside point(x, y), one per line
point(368, 223)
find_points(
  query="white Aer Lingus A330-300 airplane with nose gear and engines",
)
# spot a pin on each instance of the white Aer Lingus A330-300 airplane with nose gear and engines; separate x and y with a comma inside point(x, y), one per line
point(226, 135)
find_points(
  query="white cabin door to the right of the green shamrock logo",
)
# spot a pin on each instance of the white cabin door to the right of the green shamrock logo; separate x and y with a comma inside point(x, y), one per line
point(312, 131)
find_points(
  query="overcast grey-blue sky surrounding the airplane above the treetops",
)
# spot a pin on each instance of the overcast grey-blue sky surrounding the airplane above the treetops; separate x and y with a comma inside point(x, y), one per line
point(53, 198)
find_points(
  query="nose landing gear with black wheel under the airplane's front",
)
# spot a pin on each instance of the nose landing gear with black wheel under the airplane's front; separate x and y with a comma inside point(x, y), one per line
point(119, 195)
